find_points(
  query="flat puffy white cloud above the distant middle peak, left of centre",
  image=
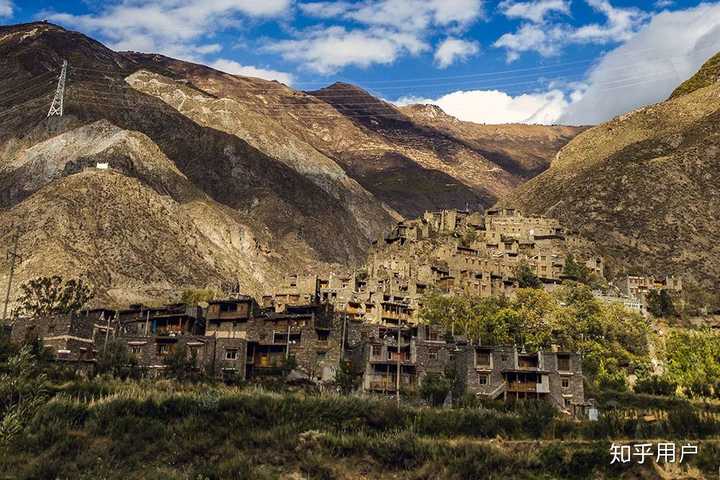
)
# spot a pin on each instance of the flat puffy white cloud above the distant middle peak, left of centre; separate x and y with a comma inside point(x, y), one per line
point(327, 50)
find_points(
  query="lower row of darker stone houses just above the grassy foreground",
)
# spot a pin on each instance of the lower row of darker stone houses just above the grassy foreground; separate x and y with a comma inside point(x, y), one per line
point(239, 338)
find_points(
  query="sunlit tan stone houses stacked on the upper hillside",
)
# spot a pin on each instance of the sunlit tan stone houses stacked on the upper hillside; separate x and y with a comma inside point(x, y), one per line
point(450, 251)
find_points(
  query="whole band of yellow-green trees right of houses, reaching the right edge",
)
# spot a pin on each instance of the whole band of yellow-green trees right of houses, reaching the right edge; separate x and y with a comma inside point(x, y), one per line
point(614, 342)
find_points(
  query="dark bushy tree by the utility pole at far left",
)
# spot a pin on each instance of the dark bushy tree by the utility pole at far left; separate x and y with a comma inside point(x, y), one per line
point(52, 295)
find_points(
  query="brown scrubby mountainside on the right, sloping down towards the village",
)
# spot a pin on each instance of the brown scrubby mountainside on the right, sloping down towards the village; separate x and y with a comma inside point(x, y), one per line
point(644, 186)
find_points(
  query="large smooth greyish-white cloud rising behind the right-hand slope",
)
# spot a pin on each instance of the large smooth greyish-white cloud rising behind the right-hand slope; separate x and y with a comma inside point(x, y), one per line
point(649, 66)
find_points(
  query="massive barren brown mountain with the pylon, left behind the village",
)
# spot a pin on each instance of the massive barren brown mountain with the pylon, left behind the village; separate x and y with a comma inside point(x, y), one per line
point(212, 177)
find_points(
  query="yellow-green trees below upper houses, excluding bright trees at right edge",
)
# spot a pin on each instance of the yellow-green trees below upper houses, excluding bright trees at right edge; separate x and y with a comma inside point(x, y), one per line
point(611, 339)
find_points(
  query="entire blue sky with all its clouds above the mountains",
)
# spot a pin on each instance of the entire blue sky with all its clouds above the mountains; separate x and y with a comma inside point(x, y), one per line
point(492, 61)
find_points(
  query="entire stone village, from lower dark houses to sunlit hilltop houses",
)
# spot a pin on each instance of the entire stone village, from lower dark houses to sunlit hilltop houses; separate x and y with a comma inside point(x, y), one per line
point(369, 317)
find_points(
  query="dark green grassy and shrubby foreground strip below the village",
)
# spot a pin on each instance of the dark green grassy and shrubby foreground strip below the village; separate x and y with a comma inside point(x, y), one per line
point(161, 429)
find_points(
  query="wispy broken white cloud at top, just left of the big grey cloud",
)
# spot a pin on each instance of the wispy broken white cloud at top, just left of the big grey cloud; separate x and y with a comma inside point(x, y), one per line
point(549, 40)
